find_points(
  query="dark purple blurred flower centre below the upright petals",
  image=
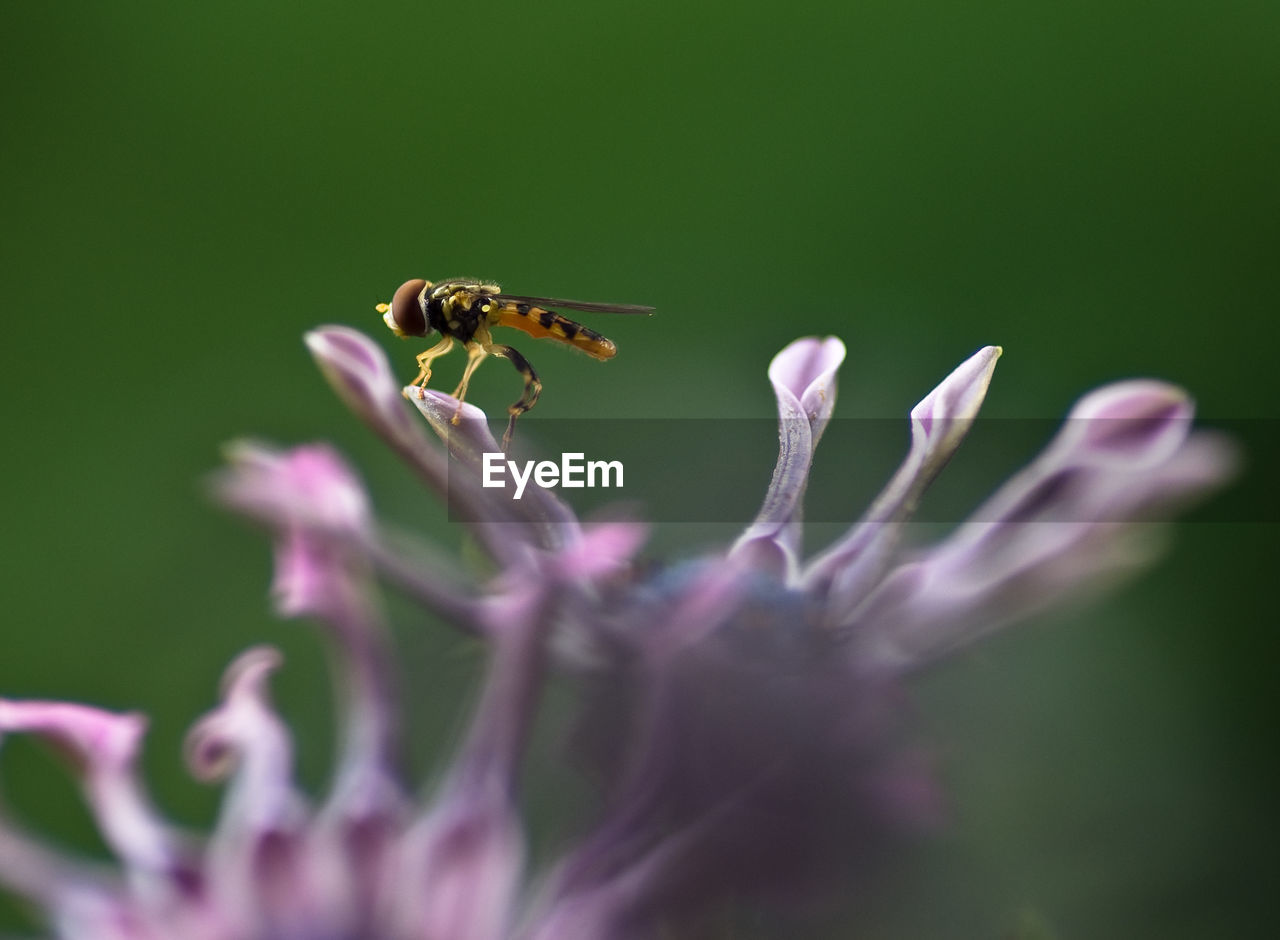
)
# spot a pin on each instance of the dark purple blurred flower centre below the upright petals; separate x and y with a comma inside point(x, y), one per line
point(733, 747)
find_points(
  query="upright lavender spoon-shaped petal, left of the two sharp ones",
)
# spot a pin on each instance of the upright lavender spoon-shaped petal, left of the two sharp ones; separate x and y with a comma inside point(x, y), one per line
point(804, 384)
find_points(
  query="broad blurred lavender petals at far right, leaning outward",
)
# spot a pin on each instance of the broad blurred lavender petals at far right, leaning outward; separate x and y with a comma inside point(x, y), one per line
point(1062, 530)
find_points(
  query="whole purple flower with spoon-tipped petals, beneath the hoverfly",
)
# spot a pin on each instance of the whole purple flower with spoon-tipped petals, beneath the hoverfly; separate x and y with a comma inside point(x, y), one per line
point(742, 714)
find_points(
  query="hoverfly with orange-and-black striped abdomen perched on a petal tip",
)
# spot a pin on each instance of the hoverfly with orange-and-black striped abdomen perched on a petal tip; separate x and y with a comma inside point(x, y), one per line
point(465, 311)
